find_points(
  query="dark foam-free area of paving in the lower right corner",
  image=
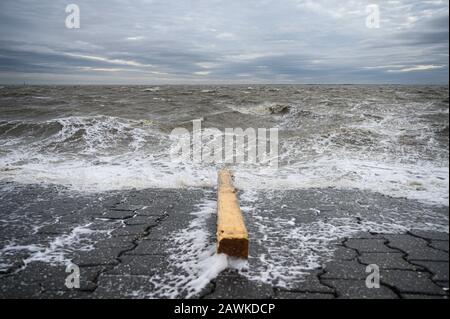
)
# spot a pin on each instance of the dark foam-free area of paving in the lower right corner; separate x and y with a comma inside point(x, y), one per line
point(413, 265)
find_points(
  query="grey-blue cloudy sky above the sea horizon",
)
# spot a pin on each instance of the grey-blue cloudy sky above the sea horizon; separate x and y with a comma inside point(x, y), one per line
point(224, 41)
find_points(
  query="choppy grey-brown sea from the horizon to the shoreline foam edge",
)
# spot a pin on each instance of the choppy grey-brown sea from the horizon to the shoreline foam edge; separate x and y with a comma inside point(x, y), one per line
point(390, 139)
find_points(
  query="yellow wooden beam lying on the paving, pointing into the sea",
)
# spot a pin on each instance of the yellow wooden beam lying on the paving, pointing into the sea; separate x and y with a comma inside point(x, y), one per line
point(232, 236)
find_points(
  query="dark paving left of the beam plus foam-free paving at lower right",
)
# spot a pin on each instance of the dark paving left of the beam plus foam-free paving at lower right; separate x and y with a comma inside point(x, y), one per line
point(122, 242)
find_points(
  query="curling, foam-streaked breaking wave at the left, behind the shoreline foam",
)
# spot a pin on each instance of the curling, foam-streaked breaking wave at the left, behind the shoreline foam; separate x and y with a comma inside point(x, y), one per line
point(85, 135)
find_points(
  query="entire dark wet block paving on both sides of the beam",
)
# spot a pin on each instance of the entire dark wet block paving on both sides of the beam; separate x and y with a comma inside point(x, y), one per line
point(304, 244)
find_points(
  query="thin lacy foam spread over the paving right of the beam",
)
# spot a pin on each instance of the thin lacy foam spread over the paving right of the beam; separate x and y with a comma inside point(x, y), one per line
point(287, 252)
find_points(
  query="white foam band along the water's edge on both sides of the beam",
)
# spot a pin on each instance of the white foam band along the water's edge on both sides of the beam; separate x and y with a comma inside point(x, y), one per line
point(427, 183)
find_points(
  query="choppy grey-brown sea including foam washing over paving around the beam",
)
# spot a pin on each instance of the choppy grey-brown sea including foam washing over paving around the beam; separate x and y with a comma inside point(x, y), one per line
point(391, 140)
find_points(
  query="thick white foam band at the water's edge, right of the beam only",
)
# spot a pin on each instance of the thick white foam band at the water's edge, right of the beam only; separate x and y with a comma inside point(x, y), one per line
point(427, 183)
